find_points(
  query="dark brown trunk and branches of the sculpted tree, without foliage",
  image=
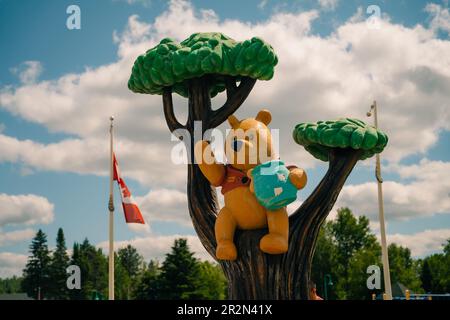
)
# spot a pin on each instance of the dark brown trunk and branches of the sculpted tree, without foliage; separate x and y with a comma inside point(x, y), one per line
point(256, 275)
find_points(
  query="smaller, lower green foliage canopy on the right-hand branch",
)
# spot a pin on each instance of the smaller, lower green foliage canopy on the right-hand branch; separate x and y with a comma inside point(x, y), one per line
point(319, 138)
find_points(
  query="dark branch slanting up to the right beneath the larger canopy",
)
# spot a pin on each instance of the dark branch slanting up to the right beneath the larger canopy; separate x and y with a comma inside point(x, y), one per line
point(235, 97)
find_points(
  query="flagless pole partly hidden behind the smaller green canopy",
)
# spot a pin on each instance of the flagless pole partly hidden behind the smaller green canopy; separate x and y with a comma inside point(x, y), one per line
point(384, 251)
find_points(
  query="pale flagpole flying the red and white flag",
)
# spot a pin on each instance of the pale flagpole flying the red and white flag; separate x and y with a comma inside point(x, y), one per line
point(111, 215)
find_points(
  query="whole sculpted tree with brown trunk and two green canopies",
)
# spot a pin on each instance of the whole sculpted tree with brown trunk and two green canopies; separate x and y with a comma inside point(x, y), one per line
point(199, 68)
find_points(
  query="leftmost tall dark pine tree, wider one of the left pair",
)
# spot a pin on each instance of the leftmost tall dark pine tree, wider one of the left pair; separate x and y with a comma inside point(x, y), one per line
point(36, 282)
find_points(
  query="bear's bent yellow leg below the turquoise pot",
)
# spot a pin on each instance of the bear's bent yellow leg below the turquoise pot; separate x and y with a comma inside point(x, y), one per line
point(276, 241)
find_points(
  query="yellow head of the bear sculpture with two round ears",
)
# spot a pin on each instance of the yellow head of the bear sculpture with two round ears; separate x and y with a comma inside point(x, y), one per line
point(249, 142)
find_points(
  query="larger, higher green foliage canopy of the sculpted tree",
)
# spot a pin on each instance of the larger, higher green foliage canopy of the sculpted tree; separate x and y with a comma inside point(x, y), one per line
point(171, 63)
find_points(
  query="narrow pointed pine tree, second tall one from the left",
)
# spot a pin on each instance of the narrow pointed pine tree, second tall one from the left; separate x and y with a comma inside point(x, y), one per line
point(58, 266)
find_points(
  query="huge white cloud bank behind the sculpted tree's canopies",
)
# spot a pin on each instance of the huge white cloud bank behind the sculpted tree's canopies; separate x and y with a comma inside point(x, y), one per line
point(406, 69)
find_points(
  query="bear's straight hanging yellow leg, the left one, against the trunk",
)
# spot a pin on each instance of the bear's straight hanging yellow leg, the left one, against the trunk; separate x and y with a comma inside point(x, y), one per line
point(224, 229)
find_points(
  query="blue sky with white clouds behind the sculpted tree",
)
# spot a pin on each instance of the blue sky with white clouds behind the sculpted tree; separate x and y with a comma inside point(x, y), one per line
point(58, 88)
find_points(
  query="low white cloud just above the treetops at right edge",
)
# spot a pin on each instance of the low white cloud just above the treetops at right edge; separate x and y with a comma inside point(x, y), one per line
point(422, 243)
